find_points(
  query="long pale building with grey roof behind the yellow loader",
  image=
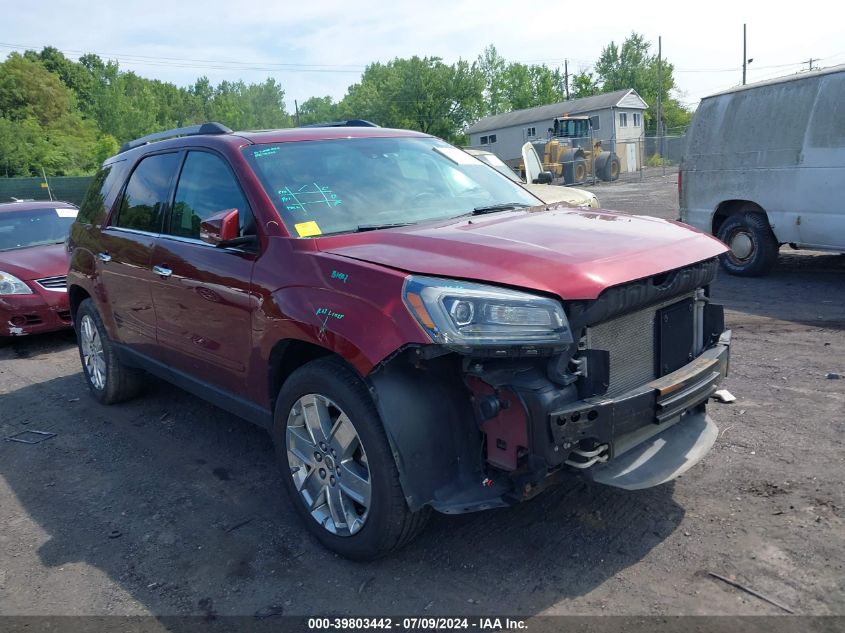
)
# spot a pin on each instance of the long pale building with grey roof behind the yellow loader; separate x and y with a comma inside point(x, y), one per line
point(617, 120)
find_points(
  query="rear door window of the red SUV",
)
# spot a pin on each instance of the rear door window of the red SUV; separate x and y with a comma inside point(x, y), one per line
point(145, 199)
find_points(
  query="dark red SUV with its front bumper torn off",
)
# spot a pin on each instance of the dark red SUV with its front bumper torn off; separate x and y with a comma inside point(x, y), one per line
point(415, 330)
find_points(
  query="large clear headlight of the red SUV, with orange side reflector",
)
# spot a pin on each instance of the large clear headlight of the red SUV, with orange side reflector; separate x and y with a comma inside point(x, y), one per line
point(465, 316)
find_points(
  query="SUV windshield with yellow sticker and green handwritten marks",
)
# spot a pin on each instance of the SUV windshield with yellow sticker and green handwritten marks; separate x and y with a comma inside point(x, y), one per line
point(343, 185)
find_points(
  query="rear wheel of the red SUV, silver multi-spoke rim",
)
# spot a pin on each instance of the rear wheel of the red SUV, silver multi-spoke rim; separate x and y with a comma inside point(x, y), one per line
point(109, 380)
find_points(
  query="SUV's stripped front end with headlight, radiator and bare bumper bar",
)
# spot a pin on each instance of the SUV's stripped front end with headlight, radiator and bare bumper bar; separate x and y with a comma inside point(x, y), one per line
point(614, 388)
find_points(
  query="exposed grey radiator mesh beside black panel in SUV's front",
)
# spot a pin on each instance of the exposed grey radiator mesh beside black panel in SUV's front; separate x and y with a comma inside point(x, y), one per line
point(630, 339)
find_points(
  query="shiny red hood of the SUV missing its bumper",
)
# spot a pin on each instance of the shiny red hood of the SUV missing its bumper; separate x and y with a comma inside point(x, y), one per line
point(572, 253)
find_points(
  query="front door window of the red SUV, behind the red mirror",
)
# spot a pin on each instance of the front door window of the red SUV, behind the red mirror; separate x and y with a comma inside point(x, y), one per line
point(206, 187)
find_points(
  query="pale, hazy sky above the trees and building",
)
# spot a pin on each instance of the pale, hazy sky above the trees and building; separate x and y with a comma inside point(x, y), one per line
point(321, 47)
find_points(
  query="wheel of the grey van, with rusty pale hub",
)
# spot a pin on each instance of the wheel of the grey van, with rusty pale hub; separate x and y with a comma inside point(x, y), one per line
point(754, 248)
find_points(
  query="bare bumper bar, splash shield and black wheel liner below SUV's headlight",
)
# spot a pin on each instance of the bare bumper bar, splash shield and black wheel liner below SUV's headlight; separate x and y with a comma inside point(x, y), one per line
point(519, 433)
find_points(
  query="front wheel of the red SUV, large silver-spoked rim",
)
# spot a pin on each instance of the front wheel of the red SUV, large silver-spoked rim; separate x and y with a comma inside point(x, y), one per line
point(337, 465)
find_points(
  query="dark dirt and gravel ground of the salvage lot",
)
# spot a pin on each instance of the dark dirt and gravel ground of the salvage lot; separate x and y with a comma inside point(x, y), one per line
point(166, 505)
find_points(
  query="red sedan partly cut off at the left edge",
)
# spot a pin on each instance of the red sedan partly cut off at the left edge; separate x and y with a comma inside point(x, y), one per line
point(33, 267)
